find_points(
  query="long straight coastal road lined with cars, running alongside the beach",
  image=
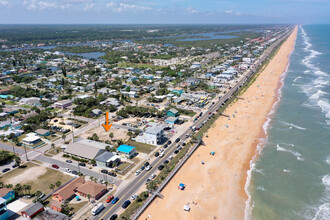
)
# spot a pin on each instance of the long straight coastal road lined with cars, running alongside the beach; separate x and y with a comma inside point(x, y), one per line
point(140, 180)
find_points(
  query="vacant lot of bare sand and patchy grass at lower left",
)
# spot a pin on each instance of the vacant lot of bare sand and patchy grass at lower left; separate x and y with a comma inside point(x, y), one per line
point(39, 177)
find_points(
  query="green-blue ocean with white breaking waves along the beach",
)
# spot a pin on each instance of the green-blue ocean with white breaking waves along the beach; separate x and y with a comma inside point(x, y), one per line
point(291, 177)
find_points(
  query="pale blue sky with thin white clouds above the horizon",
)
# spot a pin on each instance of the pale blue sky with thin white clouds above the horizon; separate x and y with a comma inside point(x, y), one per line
point(163, 11)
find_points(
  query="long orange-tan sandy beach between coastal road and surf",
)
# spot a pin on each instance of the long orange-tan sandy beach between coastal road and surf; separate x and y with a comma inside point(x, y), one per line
point(215, 190)
